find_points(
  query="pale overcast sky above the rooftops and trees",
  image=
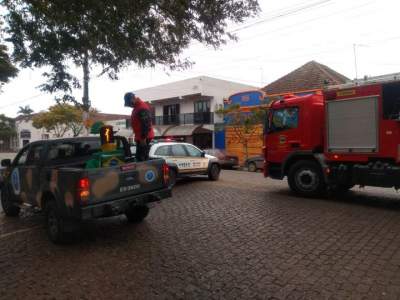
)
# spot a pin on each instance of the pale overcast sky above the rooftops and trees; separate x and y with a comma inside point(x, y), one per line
point(284, 36)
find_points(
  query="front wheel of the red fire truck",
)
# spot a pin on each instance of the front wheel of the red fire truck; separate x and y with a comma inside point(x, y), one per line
point(305, 178)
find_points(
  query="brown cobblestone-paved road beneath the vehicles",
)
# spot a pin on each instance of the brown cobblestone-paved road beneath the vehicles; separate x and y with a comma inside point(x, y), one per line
point(240, 238)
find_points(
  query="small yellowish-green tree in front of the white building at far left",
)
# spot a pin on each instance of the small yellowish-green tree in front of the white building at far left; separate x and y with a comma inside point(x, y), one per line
point(60, 118)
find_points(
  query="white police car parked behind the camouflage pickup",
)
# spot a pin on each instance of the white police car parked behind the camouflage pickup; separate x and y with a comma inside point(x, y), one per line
point(186, 159)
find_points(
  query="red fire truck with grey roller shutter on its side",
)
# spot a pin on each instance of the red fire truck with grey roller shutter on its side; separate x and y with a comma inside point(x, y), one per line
point(344, 136)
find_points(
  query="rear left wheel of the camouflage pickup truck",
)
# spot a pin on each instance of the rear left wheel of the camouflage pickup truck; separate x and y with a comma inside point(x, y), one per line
point(54, 224)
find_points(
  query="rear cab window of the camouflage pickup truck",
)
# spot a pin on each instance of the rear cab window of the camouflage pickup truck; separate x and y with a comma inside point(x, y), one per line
point(68, 150)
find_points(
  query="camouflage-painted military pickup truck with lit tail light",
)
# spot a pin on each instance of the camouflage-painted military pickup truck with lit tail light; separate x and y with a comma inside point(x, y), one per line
point(52, 176)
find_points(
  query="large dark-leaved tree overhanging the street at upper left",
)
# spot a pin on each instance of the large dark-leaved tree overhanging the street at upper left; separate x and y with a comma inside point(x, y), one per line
point(112, 34)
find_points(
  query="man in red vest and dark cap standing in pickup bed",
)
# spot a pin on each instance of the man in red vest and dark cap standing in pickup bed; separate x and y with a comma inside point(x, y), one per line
point(141, 124)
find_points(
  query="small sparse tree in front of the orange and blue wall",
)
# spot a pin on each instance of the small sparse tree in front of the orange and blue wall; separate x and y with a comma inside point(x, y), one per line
point(245, 124)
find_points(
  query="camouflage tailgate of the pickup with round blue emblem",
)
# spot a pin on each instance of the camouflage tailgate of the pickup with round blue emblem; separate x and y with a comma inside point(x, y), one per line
point(125, 181)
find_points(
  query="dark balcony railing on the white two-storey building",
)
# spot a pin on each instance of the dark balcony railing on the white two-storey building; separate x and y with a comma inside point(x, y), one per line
point(185, 119)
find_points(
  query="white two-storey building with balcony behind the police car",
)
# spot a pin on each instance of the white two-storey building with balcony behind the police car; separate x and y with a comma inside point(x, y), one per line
point(185, 109)
